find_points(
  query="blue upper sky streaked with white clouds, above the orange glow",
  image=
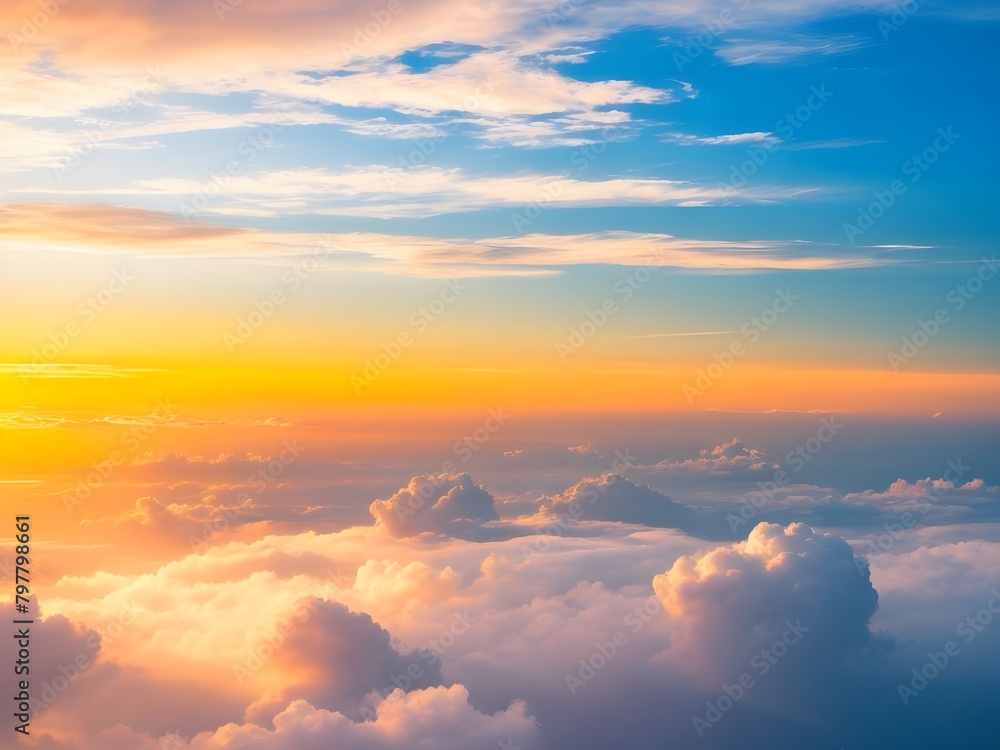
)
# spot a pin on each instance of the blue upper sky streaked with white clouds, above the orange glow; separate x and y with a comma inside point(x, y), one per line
point(778, 128)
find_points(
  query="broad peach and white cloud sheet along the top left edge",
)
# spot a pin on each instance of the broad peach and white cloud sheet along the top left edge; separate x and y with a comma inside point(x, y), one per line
point(347, 54)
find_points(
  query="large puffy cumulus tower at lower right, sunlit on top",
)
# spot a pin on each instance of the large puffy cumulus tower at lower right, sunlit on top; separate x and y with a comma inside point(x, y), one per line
point(734, 601)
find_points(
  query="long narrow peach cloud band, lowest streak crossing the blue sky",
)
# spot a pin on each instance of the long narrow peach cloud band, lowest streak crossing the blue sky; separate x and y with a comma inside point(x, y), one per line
point(107, 229)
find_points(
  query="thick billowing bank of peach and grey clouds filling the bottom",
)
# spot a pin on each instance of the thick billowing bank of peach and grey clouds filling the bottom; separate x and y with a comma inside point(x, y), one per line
point(693, 618)
